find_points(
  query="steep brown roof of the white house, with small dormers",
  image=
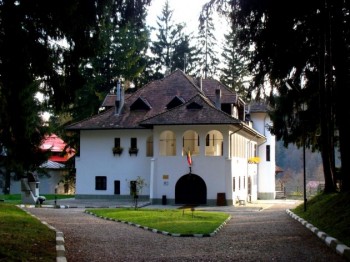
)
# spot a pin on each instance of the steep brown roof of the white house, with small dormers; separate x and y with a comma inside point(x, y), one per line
point(157, 95)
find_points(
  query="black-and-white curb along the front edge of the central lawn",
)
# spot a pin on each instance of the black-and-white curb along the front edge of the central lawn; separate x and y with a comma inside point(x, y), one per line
point(163, 232)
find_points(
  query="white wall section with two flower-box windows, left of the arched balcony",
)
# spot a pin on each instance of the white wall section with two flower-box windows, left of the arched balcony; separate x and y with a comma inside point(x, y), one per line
point(96, 159)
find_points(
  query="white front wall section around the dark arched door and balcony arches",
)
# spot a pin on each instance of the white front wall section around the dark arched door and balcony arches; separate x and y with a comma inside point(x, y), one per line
point(212, 169)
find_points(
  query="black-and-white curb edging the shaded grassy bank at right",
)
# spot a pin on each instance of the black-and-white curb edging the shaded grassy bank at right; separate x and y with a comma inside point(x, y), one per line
point(332, 242)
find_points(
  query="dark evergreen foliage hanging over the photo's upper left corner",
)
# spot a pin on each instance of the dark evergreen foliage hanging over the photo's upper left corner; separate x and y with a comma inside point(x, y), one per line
point(34, 59)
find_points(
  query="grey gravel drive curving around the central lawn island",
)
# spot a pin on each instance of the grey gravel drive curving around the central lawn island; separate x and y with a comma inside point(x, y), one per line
point(267, 235)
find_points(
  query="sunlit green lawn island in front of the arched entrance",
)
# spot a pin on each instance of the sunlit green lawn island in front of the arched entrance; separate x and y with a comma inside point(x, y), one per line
point(175, 221)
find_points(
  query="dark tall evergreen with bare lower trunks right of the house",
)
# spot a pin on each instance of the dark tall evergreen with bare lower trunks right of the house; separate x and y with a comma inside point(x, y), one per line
point(308, 48)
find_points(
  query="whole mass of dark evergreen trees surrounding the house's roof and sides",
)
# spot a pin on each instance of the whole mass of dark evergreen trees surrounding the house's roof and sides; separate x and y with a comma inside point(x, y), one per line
point(296, 59)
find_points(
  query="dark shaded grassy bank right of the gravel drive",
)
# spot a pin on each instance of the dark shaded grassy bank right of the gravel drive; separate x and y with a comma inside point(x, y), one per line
point(329, 213)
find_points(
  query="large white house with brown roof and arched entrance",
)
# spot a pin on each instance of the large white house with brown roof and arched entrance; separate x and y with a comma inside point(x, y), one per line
point(157, 126)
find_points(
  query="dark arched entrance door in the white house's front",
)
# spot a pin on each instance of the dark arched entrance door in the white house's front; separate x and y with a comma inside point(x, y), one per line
point(190, 189)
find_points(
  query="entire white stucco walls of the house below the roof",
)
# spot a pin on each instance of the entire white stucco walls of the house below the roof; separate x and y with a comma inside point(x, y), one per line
point(161, 173)
